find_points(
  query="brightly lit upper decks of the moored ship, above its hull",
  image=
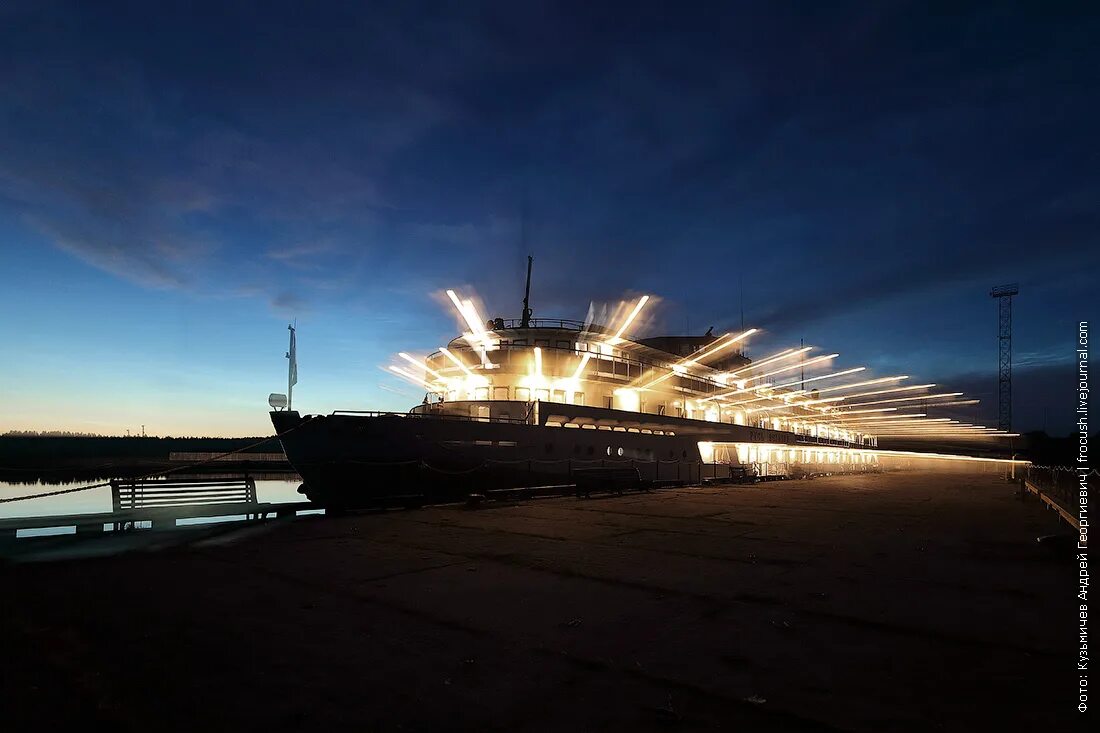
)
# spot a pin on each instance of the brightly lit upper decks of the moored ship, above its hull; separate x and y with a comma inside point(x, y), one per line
point(570, 363)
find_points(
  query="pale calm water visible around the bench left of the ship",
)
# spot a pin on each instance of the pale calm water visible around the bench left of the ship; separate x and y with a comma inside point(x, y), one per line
point(274, 488)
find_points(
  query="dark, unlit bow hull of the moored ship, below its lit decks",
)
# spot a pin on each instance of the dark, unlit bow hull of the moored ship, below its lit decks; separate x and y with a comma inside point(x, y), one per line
point(362, 461)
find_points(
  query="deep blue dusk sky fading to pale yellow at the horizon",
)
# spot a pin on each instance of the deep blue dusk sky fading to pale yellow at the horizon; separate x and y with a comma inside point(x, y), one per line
point(180, 182)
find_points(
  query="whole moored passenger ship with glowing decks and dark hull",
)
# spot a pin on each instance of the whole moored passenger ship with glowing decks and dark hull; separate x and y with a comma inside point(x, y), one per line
point(534, 402)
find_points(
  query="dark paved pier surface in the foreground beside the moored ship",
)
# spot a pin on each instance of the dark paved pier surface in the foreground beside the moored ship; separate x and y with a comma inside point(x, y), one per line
point(896, 603)
